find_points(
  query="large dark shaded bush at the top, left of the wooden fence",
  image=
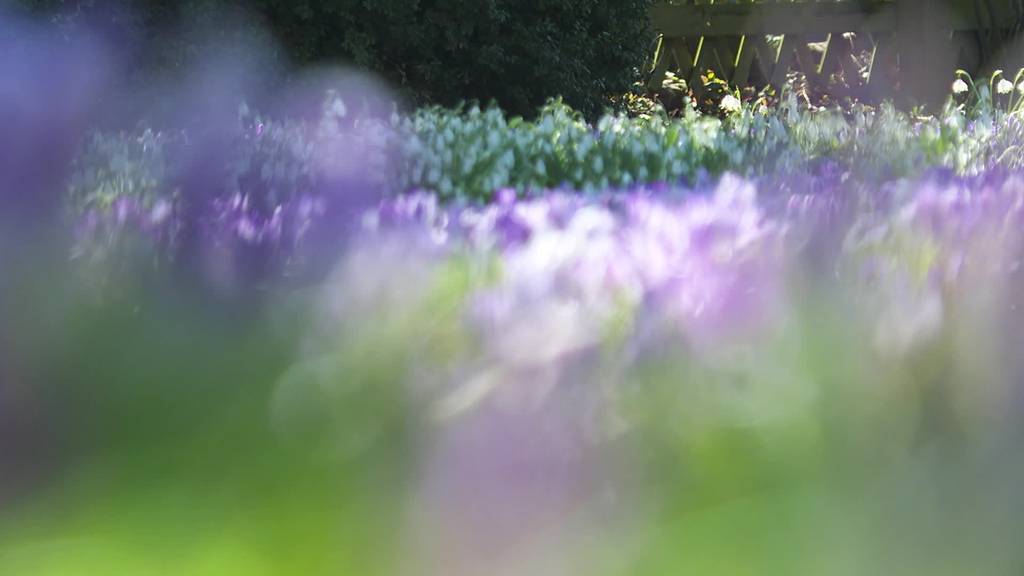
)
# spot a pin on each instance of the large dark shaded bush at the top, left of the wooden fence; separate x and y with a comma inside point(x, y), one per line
point(518, 53)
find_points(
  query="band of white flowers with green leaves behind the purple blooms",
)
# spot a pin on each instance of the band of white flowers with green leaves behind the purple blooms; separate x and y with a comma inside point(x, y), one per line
point(471, 153)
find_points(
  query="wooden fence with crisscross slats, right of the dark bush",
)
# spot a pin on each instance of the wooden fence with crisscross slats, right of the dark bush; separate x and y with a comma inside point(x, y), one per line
point(752, 43)
